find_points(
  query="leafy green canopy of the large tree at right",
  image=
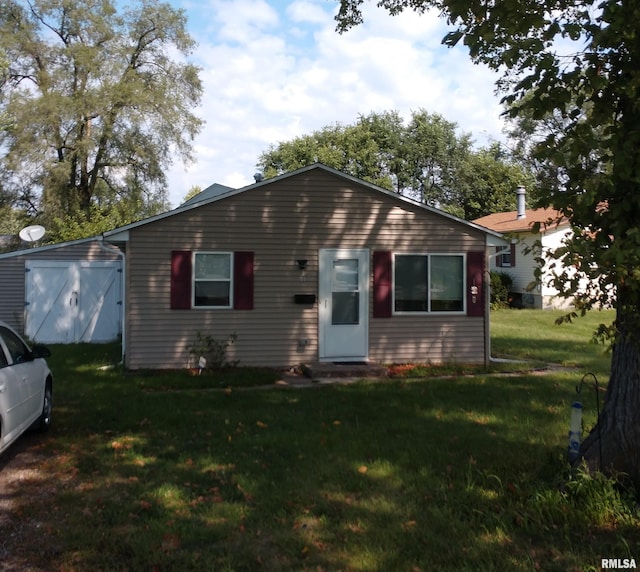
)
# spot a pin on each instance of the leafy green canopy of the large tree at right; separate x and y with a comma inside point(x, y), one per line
point(568, 79)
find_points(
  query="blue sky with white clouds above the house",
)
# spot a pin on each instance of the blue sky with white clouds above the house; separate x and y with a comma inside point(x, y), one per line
point(275, 70)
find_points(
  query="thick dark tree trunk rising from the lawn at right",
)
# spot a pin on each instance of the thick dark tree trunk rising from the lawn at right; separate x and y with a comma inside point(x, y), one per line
point(613, 446)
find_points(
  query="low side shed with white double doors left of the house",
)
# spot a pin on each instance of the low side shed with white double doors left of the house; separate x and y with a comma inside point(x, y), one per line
point(63, 293)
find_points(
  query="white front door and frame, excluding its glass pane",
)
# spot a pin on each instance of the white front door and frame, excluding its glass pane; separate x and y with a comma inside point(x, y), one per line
point(342, 342)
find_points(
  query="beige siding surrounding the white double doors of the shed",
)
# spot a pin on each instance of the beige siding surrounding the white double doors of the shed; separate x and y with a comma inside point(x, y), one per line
point(12, 274)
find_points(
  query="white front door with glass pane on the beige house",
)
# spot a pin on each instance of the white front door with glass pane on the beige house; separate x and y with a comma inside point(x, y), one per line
point(344, 305)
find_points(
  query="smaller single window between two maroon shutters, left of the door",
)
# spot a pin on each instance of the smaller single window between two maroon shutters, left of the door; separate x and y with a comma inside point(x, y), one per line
point(212, 272)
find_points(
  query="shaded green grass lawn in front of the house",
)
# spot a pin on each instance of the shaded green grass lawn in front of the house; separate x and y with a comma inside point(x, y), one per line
point(424, 474)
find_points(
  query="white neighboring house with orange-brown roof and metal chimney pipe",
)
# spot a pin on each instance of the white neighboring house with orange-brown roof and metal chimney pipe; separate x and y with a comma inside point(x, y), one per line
point(519, 261)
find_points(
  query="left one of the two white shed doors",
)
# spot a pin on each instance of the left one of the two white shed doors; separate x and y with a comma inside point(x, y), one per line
point(52, 299)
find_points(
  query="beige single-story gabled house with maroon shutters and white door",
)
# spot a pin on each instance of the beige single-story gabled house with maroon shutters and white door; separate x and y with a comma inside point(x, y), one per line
point(313, 265)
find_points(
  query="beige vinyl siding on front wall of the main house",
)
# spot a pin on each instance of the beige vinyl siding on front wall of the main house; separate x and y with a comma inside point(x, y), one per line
point(282, 222)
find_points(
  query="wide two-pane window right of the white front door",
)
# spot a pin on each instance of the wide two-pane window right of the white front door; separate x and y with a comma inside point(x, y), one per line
point(429, 283)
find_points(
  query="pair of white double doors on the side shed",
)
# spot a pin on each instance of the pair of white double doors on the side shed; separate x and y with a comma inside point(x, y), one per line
point(68, 302)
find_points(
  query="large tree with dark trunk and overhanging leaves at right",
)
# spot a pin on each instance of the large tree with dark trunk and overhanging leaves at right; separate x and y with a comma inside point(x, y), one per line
point(579, 62)
